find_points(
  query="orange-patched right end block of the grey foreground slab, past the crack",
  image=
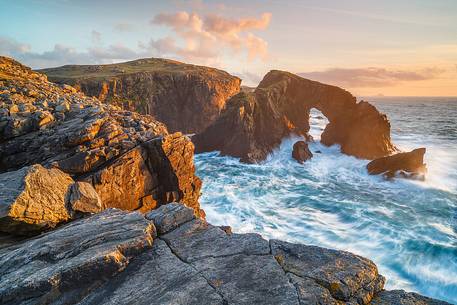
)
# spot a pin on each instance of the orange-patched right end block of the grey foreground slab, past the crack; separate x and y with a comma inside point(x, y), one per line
point(347, 277)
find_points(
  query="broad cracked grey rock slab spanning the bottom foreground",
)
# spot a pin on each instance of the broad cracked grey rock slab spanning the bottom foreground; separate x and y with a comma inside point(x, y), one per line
point(108, 259)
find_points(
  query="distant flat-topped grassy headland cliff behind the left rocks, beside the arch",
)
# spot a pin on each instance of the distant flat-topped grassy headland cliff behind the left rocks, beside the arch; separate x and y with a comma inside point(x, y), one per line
point(186, 98)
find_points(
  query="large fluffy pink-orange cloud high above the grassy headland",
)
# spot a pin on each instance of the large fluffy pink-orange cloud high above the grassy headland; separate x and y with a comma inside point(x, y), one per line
point(196, 37)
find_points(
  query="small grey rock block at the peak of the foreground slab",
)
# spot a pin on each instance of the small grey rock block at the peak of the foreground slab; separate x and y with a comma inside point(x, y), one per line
point(170, 216)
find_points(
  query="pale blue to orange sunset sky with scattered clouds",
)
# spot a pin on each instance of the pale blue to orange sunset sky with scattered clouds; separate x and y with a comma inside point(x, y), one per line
point(389, 47)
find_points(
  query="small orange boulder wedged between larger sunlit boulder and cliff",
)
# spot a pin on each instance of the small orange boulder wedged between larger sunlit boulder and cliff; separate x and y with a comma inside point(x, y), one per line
point(84, 198)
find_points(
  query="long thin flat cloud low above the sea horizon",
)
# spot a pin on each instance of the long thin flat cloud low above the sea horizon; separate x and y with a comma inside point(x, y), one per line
point(372, 77)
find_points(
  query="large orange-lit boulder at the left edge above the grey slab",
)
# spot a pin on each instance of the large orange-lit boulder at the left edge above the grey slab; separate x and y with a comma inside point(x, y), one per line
point(33, 198)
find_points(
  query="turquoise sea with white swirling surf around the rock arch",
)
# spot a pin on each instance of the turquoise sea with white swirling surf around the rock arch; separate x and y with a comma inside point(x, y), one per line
point(408, 228)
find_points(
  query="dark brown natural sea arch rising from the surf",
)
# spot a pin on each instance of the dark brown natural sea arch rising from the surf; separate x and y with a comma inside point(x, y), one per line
point(253, 124)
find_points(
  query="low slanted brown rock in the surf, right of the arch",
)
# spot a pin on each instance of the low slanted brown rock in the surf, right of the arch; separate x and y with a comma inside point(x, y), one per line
point(407, 165)
